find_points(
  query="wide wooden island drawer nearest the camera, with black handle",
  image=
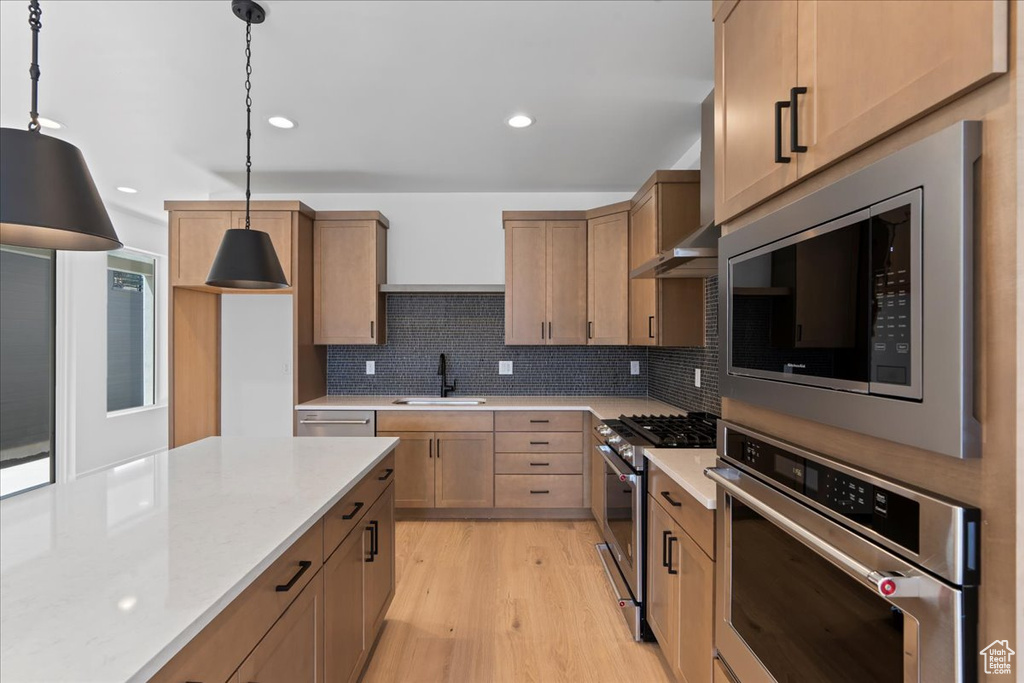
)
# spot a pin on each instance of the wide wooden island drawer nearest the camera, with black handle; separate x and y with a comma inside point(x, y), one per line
point(222, 647)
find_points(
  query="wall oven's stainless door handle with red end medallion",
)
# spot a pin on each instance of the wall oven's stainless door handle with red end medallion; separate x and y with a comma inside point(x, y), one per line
point(887, 584)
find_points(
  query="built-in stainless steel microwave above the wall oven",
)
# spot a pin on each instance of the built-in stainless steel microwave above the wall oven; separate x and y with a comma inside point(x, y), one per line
point(825, 301)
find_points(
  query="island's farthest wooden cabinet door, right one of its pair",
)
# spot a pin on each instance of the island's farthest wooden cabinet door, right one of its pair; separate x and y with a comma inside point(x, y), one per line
point(379, 569)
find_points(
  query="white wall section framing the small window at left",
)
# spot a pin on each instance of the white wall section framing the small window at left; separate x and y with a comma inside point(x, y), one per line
point(88, 438)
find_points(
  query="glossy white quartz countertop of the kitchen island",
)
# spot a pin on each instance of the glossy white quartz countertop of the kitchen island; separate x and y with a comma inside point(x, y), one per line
point(108, 577)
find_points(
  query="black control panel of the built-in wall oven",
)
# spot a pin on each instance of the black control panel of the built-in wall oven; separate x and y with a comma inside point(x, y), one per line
point(885, 513)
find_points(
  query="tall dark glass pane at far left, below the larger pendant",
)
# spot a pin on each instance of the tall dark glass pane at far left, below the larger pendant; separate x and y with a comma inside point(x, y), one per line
point(27, 376)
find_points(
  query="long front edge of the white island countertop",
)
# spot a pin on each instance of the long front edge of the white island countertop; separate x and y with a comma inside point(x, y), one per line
point(179, 644)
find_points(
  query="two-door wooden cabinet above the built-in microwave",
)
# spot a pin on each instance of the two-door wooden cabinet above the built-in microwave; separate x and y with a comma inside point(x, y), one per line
point(800, 86)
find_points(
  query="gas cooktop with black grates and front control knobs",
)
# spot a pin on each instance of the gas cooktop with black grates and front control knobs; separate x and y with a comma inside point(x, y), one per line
point(629, 436)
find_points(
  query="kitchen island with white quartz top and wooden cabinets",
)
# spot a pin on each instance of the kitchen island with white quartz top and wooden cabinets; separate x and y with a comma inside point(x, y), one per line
point(110, 577)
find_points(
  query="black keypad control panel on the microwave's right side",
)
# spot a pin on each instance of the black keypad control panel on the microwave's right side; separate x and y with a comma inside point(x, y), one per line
point(891, 302)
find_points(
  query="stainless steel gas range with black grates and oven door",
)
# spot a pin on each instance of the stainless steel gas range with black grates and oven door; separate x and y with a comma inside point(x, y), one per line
point(625, 494)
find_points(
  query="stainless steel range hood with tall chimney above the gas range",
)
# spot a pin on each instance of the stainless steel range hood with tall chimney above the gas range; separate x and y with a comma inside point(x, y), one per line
point(697, 257)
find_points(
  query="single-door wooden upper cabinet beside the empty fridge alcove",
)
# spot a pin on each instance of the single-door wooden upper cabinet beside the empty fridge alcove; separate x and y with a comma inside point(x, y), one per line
point(350, 267)
